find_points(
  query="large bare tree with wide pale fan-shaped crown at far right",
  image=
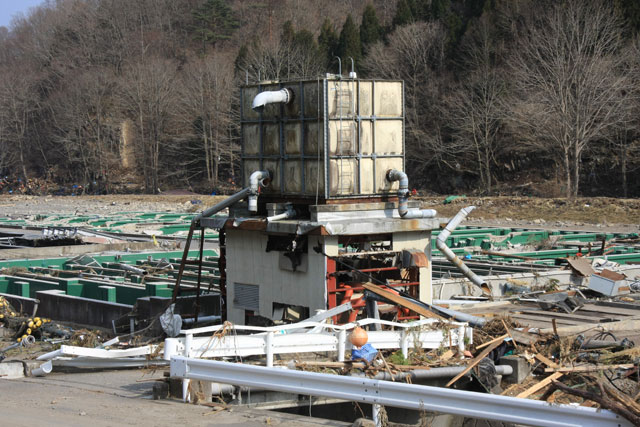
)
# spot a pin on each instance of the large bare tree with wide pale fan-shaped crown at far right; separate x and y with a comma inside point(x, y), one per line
point(569, 80)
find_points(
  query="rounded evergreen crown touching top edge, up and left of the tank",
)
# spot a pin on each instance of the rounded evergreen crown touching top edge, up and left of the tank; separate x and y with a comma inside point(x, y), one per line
point(214, 21)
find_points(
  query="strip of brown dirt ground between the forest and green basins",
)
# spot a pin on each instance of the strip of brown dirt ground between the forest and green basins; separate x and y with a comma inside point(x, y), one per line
point(580, 213)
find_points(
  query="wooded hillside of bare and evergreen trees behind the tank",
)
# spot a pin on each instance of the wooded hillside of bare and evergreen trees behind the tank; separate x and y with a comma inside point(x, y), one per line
point(503, 96)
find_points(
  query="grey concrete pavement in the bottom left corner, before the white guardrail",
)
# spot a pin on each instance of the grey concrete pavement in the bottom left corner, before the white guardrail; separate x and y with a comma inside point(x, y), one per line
point(121, 398)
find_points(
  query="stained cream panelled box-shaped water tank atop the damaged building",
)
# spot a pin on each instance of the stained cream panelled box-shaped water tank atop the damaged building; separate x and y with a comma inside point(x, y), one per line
point(332, 138)
